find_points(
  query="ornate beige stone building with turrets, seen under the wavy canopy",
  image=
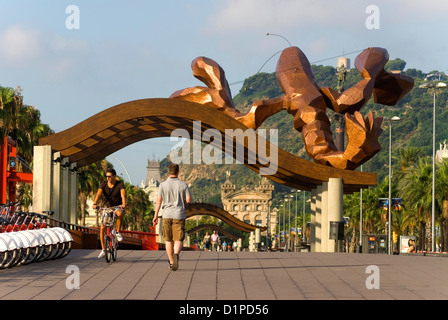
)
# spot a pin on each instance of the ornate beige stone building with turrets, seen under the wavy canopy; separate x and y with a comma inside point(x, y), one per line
point(249, 205)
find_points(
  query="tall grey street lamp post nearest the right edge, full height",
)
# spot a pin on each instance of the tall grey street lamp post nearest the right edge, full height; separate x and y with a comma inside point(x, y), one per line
point(433, 87)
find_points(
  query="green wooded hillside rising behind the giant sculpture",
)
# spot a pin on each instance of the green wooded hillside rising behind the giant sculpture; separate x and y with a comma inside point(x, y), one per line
point(414, 129)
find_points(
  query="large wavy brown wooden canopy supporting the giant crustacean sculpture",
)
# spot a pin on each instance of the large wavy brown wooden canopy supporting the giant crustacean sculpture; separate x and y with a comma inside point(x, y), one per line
point(119, 126)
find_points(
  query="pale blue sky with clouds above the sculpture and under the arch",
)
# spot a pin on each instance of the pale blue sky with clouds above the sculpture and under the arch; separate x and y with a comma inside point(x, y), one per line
point(127, 50)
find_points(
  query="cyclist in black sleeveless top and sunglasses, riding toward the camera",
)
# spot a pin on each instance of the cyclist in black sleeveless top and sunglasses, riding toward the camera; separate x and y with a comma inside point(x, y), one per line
point(113, 194)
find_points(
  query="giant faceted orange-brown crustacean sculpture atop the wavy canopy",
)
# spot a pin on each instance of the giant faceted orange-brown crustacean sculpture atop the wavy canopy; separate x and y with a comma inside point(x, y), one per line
point(307, 102)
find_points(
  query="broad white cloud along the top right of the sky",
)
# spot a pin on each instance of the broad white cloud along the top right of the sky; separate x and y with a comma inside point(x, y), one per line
point(311, 15)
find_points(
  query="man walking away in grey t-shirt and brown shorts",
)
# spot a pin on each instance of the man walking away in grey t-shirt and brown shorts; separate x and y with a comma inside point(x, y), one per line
point(173, 197)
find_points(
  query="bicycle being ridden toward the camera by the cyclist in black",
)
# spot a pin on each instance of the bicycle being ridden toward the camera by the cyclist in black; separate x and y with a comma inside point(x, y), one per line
point(110, 241)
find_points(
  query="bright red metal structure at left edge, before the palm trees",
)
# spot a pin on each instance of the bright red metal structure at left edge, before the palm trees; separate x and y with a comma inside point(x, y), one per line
point(8, 174)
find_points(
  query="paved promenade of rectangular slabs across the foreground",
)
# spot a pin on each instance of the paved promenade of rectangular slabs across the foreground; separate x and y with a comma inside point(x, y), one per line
point(241, 276)
